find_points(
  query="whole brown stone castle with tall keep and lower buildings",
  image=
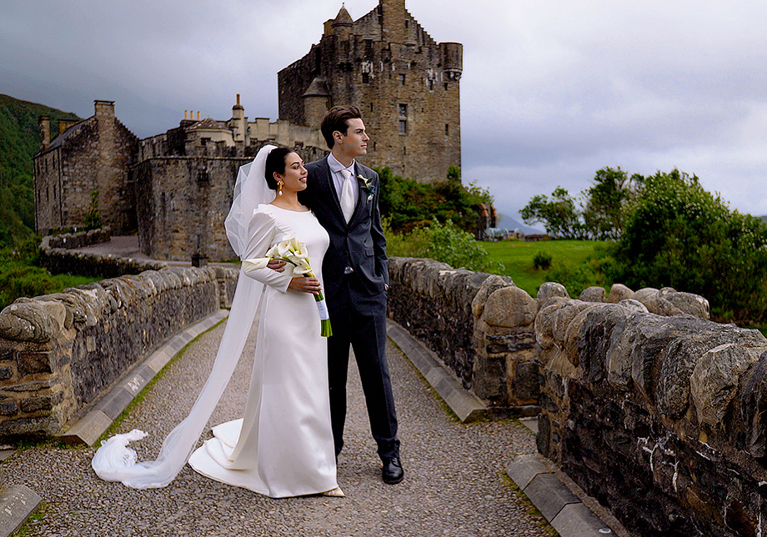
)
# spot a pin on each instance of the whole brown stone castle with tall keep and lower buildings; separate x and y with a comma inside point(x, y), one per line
point(174, 189)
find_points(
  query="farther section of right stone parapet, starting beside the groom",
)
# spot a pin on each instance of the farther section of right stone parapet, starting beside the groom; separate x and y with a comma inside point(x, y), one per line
point(483, 326)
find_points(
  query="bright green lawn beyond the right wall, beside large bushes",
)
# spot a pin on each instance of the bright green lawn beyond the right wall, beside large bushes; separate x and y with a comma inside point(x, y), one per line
point(517, 257)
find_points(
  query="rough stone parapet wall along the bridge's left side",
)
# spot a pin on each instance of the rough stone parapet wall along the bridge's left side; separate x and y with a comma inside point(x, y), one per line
point(58, 352)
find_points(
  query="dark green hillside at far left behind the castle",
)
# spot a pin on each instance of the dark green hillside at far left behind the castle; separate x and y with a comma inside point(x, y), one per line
point(19, 141)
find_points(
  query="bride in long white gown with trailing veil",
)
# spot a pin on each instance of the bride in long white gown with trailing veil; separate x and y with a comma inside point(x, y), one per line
point(283, 444)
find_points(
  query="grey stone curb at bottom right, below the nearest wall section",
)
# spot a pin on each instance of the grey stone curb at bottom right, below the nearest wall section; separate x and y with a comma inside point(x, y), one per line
point(557, 503)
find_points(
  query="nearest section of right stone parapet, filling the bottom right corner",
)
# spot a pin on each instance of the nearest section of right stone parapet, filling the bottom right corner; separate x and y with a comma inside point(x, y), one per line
point(661, 418)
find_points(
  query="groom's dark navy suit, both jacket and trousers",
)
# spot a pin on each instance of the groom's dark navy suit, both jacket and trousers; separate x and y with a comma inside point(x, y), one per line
point(356, 301)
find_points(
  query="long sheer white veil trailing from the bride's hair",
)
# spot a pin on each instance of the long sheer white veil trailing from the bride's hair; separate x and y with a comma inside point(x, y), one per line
point(114, 461)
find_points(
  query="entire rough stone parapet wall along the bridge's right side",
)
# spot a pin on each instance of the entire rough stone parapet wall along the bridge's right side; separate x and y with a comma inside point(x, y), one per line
point(650, 407)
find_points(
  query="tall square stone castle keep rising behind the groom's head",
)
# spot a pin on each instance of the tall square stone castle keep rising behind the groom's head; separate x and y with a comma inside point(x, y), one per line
point(406, 84)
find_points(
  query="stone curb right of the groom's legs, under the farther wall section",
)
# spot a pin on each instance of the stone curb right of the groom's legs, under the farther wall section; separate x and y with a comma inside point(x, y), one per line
point(467, 406)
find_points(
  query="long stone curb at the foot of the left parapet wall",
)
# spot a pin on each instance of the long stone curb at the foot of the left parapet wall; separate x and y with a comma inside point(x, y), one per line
point(90, 427)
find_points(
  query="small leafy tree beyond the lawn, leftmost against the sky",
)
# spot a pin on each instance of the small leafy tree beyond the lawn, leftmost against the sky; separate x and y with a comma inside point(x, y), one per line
point(558, 214)
